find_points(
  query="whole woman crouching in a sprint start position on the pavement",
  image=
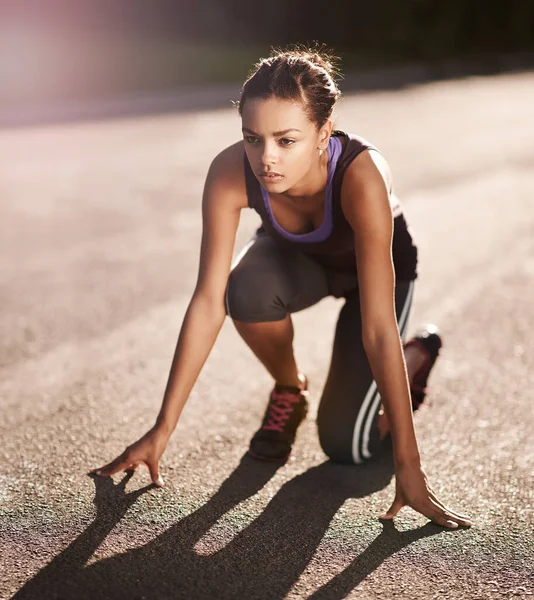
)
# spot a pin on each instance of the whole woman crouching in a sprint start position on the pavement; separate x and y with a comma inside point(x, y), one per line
point(331, 225)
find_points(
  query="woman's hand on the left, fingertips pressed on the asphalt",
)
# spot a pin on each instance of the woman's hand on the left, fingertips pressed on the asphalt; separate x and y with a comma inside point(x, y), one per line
point(147, 451)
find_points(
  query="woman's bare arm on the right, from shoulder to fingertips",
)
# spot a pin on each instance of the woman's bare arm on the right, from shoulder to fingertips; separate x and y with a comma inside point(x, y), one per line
point(365, 204)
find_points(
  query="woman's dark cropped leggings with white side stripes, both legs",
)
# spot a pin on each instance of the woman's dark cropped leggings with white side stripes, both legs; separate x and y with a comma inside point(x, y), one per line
point(266, 283)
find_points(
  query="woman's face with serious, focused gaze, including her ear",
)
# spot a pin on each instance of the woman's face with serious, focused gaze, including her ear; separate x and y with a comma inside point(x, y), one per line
point(279, 138)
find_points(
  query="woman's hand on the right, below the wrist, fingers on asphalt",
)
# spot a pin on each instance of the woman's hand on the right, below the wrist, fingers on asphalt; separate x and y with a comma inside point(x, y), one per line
point(413, 489)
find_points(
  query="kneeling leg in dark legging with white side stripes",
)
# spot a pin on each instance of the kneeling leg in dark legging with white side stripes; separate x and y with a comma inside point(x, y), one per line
point(348, 412)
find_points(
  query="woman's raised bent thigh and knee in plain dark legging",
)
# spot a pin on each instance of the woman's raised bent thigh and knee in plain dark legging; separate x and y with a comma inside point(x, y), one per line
point(268, 281)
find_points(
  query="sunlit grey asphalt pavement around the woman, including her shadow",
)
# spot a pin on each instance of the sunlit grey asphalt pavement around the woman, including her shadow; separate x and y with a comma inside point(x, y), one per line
point(98, 259)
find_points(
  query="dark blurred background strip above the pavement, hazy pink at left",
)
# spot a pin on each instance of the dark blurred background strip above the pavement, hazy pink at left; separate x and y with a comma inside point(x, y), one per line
point(70, 50)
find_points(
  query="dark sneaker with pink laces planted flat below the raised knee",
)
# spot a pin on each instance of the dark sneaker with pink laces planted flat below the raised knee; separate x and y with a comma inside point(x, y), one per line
point(287, 408)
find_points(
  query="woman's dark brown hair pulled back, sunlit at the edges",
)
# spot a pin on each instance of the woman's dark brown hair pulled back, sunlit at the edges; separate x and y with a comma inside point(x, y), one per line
point(296, 73)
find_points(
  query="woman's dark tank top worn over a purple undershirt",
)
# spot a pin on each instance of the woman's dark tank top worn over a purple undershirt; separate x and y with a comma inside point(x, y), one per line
point(336, 249)
